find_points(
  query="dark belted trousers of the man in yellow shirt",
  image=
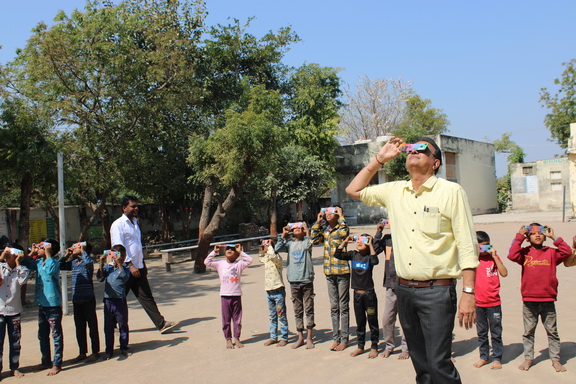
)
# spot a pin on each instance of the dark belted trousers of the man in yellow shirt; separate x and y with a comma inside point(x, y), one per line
point(427, 319)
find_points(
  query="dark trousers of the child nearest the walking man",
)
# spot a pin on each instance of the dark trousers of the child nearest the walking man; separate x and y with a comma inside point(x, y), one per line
point(115, 312)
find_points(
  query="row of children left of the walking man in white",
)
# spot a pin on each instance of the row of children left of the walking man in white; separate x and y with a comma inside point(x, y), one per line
point(15, 269)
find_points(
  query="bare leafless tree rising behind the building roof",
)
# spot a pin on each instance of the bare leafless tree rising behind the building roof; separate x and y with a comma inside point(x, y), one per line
point(376, 109)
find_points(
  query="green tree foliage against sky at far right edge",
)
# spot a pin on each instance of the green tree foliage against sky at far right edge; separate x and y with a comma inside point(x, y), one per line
point(562, 105)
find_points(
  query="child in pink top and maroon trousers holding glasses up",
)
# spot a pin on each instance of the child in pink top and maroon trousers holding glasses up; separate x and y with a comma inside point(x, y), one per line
point(230, 271)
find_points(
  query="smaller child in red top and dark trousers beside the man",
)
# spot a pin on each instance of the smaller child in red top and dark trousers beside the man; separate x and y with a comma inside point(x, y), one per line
point(488, 304)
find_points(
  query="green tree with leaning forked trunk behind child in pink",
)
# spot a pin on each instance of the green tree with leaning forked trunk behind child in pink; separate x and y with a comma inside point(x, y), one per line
point(225, 160)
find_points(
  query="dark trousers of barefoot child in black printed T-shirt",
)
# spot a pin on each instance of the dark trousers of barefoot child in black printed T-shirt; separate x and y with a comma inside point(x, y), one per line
point(366, 308)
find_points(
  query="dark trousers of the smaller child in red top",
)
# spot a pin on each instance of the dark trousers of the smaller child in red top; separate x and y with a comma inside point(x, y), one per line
point(490, 318)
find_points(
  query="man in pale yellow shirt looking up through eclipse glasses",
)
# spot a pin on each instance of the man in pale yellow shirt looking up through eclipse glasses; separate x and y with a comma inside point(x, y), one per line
point(434, 244)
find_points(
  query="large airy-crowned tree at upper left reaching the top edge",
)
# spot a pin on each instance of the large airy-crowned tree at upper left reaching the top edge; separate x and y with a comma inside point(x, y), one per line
point(107, 73)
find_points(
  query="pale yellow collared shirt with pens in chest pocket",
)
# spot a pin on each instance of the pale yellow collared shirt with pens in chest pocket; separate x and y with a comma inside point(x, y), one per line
point(432, 229)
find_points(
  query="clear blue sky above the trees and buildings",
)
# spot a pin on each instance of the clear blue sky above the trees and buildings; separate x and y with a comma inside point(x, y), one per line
point(482, 62)
